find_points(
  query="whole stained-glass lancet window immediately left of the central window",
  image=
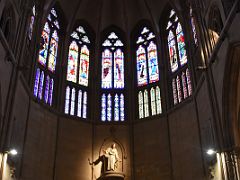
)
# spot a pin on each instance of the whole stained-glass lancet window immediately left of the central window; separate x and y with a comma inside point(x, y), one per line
point(77, 73)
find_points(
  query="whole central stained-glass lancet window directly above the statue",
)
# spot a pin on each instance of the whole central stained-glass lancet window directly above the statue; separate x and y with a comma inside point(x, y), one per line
point(112, 79)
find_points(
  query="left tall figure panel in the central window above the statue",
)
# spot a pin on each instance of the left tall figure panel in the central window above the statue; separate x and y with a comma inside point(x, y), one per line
point(107, 69)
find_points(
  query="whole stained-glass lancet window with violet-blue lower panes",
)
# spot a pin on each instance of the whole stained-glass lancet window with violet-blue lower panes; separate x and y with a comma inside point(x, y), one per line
point(45, 75)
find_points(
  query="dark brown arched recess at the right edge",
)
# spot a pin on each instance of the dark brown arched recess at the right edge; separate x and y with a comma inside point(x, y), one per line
point(231, 99)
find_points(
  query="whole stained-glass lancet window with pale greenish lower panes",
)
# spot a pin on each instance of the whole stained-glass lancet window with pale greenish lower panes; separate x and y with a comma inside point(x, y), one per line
point(149, 97)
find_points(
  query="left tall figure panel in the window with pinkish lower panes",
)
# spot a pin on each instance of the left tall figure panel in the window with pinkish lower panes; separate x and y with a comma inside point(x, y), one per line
point(172, 51)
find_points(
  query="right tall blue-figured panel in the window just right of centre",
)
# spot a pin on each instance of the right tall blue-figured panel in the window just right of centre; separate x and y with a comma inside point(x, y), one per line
point(153, 63)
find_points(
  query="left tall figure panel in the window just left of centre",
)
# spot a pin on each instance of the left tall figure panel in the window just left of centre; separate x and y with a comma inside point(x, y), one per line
point(72, 62)
